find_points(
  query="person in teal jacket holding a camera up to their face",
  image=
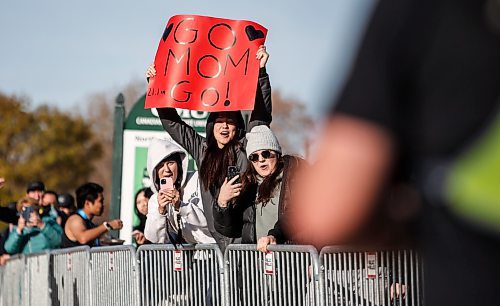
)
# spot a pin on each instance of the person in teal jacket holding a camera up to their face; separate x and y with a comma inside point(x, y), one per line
point(34, 232)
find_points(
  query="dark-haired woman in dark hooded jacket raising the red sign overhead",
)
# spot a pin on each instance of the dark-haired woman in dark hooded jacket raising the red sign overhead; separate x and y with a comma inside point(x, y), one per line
point(223, 147)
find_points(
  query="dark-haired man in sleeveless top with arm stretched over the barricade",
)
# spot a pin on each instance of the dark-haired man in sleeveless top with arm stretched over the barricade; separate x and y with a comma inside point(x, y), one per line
point(79, 229)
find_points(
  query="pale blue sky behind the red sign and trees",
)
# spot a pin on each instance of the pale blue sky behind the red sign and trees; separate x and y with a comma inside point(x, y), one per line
point(61, 52)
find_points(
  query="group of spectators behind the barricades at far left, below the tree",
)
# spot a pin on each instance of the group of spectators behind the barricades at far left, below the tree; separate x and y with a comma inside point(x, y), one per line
point(43, 220)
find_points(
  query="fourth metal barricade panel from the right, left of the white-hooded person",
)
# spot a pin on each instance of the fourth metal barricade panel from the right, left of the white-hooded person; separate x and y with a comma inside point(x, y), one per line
point(114, 276)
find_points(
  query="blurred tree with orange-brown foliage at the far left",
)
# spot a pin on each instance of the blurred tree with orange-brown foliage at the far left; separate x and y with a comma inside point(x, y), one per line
point(45, 144)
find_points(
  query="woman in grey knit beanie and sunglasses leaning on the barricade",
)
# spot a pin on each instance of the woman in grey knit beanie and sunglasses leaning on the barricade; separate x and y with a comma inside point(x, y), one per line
point(258, 212)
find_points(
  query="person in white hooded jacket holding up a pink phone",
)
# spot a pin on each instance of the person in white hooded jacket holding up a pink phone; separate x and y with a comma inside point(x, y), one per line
point(169, 219)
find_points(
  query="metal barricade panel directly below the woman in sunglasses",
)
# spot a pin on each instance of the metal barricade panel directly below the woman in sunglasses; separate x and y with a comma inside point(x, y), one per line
point(287, 275)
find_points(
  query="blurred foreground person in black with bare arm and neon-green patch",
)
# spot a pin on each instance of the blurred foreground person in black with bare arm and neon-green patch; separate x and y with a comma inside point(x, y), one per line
point(421, 108)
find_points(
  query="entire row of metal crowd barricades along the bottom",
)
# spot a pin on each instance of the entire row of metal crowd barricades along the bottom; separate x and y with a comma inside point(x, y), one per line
point(200, 275)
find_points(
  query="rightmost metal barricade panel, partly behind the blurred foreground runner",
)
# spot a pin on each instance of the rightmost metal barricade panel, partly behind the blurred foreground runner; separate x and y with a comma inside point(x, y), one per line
point(355, 277)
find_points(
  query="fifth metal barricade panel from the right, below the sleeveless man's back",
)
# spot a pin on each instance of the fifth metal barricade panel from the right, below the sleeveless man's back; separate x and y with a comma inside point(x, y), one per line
point(70, 276)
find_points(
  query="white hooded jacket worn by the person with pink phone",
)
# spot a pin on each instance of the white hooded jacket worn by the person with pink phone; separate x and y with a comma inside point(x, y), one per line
point(193, 222)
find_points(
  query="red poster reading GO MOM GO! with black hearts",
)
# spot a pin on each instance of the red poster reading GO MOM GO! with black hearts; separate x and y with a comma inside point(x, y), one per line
point(206, 64)
